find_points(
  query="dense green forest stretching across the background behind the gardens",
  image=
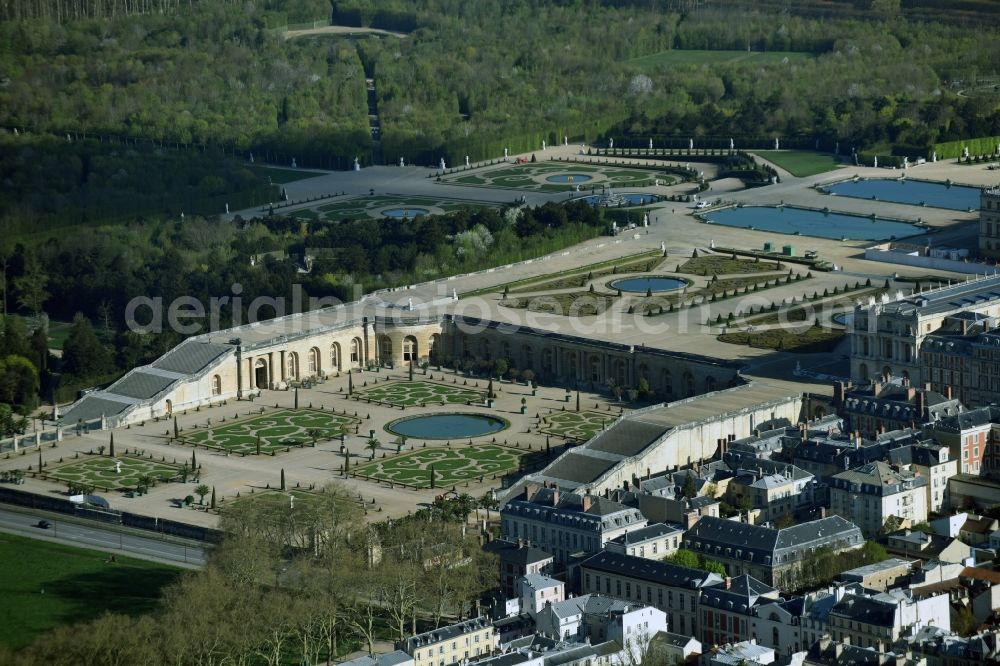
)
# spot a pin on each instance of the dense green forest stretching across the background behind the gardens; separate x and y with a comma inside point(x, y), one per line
point(471, 78)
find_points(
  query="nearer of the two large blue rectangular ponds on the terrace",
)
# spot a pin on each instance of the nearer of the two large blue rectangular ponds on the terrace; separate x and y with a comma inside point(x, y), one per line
point(802, 221)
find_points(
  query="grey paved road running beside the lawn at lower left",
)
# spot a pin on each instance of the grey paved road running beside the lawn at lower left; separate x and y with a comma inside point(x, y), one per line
point(111, 538)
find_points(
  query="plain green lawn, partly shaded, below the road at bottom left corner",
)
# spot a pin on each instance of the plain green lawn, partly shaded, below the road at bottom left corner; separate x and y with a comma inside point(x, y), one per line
point(44, 585)
